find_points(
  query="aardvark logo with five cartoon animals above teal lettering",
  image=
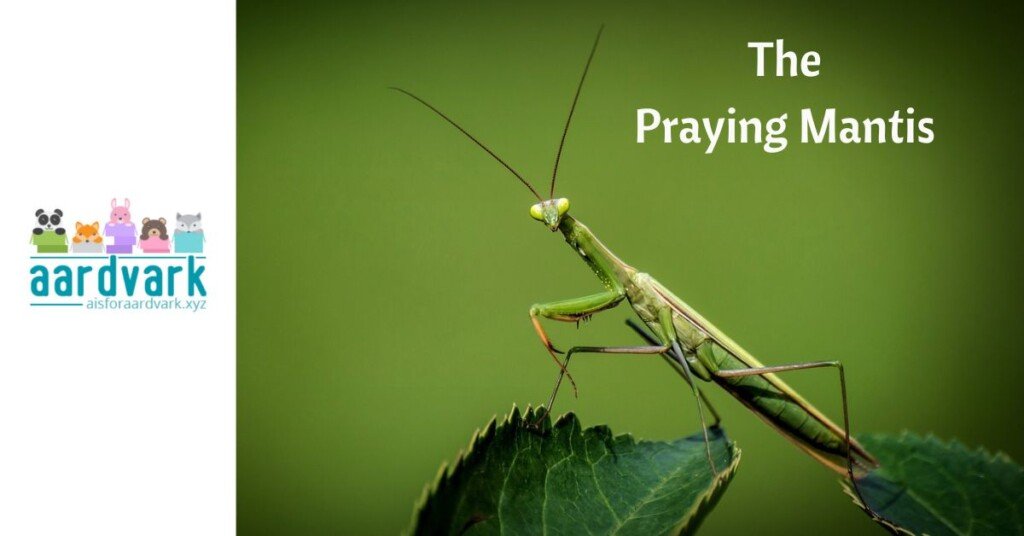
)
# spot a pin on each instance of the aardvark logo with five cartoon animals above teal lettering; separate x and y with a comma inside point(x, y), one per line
point(118, 265)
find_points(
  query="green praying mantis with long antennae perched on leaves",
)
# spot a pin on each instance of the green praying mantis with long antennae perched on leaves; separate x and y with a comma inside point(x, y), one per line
point(693, 346)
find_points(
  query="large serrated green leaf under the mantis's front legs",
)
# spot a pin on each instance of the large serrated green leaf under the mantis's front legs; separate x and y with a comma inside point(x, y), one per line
point(565, 480)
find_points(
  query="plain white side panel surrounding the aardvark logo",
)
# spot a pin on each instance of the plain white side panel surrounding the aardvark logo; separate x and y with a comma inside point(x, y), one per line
point(102, 431)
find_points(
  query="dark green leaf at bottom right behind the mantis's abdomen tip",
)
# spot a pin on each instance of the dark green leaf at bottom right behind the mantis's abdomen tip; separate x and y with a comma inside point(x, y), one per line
point(925, 486)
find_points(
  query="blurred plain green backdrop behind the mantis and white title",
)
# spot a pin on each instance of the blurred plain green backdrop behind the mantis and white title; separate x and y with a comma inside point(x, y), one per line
point(387, 265)
